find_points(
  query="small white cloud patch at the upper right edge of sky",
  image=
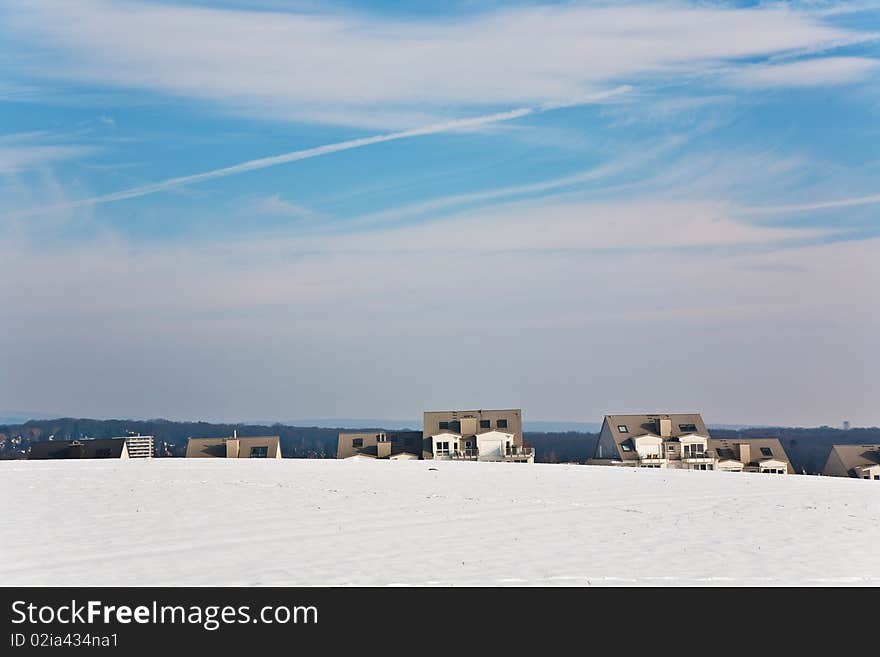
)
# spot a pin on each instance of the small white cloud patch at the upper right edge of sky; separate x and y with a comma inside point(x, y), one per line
point(808, 73)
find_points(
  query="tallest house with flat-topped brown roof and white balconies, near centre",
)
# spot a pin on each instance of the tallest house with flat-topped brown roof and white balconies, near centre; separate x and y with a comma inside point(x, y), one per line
point(481, 435)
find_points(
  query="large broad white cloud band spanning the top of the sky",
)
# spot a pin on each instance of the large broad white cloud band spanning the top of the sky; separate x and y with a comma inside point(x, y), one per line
point(374, 71)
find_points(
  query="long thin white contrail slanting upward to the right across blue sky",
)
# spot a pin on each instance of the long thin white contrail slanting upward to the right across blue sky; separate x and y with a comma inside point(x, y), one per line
point(294, 156)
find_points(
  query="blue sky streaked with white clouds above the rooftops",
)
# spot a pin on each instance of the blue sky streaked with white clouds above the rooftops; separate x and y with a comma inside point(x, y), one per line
point(576, 208)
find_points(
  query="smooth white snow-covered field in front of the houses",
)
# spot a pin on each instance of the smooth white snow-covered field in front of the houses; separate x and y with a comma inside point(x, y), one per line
point(327, 522)
